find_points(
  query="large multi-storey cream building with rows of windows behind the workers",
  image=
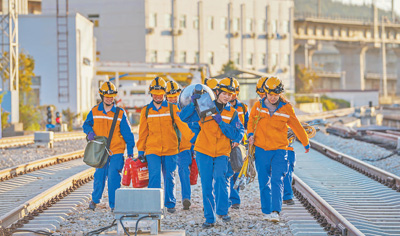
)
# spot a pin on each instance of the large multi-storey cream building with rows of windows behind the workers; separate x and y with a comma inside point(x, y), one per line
point(254, 34)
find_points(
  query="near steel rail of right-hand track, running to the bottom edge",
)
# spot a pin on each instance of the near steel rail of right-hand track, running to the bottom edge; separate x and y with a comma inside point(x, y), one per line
point(329, 218)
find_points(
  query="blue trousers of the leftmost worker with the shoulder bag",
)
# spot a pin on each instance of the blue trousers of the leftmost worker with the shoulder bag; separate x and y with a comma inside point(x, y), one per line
point(111, 170)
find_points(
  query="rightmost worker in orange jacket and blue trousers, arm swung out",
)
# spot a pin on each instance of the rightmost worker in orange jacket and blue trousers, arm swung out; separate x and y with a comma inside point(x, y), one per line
point(268, 125)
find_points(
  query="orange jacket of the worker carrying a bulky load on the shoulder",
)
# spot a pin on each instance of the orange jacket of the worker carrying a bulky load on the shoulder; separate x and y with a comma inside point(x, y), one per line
point(212, 139)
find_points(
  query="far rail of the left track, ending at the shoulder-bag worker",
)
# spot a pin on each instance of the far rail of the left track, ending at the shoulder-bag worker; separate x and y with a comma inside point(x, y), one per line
point(38, 164)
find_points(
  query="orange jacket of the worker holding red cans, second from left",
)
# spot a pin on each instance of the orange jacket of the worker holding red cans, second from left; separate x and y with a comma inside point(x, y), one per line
point(156, 133)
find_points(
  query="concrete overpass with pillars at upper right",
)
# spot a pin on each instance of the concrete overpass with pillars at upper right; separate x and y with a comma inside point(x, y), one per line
point(352, 38)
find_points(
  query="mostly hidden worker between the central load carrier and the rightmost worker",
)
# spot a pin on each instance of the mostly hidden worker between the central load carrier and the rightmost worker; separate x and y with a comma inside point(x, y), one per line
point(241, 108)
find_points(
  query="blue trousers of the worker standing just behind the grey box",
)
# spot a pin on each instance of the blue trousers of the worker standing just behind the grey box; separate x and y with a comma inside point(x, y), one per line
point(166, 164)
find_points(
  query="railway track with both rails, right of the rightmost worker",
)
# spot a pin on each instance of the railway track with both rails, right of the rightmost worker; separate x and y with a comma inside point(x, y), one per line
point(345, 195)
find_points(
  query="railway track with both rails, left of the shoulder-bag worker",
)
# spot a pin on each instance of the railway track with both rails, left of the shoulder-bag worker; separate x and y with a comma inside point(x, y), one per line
point(28, 189)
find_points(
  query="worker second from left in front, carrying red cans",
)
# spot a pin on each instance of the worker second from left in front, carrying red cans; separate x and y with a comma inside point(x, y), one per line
point(158, 140)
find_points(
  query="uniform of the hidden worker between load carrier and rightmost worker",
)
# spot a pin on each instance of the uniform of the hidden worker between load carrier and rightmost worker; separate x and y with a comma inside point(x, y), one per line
point(243, 114)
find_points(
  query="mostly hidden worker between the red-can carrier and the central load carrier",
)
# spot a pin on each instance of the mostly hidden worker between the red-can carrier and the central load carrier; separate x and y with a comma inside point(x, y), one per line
point(185, 153)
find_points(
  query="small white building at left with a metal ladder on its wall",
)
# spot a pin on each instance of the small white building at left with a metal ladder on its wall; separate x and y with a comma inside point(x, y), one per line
point(38, 38)
